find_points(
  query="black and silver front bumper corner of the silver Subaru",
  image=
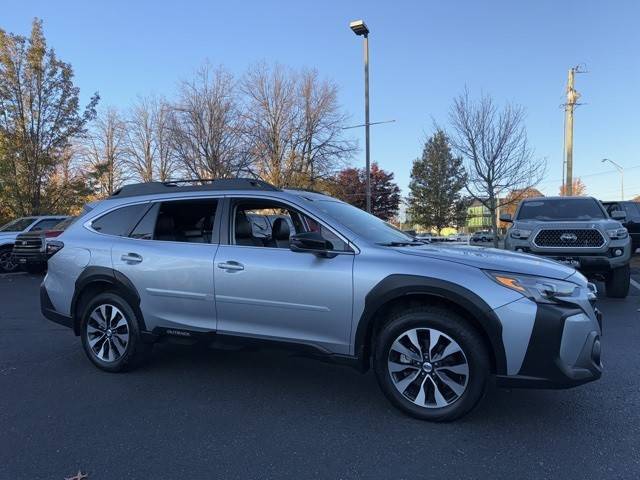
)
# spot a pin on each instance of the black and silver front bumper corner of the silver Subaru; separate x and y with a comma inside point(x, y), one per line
point(564, 350)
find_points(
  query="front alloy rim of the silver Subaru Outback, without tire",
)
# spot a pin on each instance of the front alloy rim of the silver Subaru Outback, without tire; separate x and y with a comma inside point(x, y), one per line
point(428, 367)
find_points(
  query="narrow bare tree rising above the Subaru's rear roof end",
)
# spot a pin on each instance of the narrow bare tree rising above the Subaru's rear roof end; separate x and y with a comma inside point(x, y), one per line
point(148, 150)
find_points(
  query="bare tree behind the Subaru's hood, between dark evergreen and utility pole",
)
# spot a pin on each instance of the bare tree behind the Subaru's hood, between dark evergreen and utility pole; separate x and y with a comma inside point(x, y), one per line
point(497, 155)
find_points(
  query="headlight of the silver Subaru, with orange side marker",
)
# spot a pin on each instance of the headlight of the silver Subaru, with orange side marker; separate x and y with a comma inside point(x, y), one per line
point(538, 289)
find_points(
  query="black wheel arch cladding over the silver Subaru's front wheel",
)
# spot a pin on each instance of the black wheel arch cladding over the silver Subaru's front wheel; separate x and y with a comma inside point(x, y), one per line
point(395, 287)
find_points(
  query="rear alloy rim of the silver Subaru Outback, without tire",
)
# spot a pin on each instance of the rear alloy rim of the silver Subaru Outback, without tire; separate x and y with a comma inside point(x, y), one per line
point(107, 333)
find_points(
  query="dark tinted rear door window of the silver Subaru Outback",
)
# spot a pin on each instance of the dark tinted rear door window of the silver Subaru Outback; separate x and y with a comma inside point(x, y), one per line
point(189, 221)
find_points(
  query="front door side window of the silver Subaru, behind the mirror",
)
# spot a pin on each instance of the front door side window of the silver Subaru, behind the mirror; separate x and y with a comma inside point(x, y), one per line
point(263, 223)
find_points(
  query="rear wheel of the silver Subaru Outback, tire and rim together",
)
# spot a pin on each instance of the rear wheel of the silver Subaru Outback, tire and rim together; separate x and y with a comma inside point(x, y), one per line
point(110, 334)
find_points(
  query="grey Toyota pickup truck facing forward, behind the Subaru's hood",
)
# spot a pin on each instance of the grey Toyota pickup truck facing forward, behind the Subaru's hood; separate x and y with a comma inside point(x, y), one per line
point(576, 231)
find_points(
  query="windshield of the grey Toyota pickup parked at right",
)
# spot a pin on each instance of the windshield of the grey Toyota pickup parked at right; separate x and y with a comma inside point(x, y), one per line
point(559, 209)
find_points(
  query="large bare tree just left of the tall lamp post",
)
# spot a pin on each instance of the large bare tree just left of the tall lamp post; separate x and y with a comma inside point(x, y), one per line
point(294, 126)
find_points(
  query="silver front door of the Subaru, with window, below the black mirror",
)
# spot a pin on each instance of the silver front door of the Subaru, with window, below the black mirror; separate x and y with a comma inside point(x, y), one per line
point(265, 290)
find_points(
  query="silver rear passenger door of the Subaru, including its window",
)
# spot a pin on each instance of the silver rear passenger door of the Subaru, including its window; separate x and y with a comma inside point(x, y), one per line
point(168, 256)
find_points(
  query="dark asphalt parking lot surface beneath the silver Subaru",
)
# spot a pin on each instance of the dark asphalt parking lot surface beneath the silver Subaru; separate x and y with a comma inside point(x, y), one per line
point(195, 413)
